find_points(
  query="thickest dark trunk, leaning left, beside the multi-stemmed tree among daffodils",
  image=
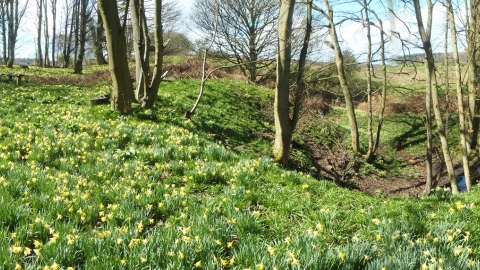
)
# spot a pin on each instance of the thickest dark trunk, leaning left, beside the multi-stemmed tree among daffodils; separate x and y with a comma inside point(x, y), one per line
point(123, 94)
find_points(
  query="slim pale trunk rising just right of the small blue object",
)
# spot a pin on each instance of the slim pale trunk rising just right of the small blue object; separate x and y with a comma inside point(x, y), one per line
point(461, 111)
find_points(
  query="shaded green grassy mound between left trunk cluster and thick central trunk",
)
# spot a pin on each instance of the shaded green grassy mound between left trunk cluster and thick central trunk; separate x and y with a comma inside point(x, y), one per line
point(230, 111)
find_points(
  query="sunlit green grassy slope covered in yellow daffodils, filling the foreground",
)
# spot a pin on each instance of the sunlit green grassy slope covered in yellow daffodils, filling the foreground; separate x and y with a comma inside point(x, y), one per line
point(84, 188)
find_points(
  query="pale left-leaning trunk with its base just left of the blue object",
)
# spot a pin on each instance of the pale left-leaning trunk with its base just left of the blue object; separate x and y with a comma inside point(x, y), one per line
point(431, 87)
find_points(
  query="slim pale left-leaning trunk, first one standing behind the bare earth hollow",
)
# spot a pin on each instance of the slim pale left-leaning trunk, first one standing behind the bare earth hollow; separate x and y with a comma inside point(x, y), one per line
point(343, 81)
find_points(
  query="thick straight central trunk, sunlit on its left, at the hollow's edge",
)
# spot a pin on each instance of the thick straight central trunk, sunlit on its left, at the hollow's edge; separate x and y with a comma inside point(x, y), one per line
point(283, 124)
